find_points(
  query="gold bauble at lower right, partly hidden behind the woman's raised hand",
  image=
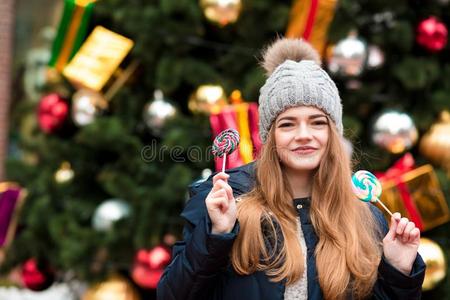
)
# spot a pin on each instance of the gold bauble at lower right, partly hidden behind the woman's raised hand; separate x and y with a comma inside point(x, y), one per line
point(434, 258)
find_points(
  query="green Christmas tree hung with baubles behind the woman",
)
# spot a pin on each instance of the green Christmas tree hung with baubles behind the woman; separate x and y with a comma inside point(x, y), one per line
point(389, 59)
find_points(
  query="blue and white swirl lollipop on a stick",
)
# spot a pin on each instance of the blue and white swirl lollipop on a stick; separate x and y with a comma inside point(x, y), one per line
point(367, 187)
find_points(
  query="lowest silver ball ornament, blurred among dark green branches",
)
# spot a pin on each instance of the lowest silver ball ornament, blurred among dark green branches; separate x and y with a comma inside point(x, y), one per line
point(109, 212)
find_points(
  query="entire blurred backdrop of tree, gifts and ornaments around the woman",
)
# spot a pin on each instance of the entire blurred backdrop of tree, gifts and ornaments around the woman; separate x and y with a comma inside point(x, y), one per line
point(108, 110)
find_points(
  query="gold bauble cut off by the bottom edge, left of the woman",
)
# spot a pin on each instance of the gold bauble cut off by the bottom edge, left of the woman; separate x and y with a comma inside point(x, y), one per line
point(114, 288)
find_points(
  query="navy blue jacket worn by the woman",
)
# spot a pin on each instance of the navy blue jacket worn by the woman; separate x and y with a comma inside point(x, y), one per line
point(201, 268)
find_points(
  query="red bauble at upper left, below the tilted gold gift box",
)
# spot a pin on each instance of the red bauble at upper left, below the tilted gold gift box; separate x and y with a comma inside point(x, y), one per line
point(52, 112)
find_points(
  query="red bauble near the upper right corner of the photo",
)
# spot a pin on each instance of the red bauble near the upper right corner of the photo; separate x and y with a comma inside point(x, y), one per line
point(432, 34)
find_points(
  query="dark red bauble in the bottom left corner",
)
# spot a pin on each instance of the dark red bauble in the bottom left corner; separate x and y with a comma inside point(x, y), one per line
point(36, 277)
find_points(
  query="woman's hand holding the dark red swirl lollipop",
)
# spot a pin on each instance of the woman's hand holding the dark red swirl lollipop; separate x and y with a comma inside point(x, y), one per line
point(221, 205)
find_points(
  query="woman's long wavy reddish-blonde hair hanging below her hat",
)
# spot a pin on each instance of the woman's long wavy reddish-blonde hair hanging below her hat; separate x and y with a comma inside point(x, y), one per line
point(348, 249)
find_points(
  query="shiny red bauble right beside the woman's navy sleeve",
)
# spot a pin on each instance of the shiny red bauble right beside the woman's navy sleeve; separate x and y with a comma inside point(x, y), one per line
point(149, 266)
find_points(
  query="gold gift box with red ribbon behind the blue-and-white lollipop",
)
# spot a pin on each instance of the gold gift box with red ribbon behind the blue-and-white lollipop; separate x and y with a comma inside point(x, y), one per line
point(425, 192)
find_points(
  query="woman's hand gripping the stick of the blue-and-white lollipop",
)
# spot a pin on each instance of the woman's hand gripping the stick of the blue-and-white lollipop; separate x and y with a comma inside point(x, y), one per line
point(401, 243)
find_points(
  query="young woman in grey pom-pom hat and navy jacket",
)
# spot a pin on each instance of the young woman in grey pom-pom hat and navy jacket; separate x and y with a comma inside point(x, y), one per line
point(288, 226)
